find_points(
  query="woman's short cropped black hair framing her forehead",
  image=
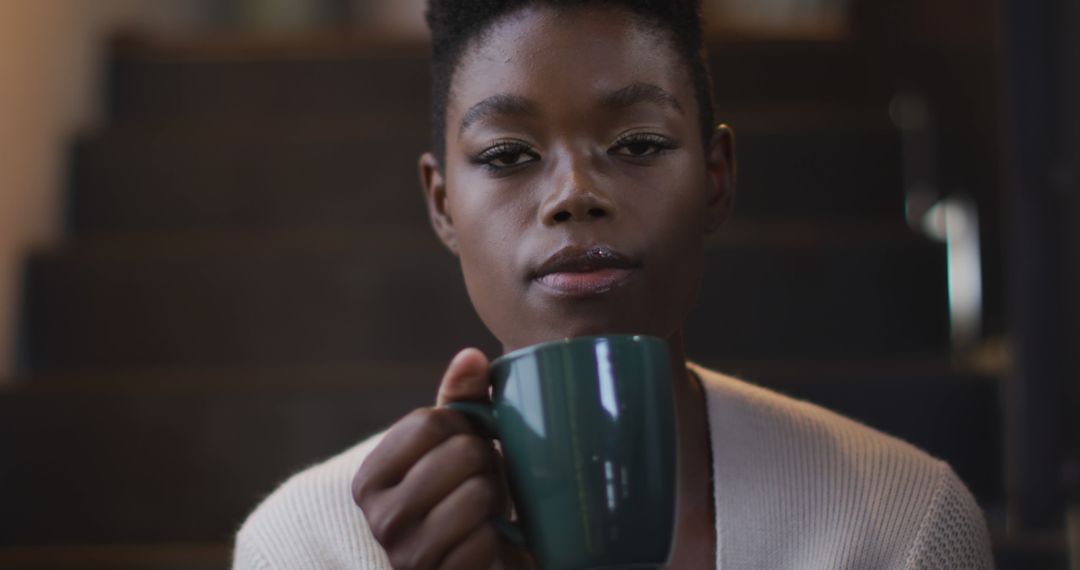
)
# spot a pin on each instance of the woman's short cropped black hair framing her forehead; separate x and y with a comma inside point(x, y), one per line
point(456, 23)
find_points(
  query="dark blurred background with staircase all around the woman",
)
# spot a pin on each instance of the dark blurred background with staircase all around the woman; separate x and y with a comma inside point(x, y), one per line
point(217, 269)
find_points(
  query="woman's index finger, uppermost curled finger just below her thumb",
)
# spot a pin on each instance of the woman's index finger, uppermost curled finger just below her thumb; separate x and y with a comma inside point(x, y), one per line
point(407, 442)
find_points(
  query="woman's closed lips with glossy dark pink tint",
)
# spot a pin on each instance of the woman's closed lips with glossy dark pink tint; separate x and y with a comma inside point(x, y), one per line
point(585, 270)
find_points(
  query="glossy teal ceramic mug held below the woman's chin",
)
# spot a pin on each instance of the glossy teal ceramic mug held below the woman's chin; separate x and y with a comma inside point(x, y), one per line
point(588, 433)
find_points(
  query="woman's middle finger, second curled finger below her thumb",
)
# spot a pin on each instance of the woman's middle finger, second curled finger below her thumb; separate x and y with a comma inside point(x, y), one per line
point(441, 472)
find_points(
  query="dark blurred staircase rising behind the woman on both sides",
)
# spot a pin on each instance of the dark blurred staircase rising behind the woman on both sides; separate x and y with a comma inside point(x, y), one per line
point(250, 287)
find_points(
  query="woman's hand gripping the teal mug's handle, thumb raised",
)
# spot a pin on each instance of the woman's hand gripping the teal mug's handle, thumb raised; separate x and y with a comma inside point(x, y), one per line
point(431, 487)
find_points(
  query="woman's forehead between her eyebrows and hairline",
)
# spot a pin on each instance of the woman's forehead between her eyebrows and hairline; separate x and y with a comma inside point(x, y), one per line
point(539, 51)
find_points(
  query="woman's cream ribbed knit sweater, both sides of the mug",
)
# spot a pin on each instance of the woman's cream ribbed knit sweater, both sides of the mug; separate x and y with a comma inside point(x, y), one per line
point(796, 487)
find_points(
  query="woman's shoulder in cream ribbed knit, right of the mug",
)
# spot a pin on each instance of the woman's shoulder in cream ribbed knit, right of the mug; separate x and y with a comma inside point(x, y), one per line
point(831, 490)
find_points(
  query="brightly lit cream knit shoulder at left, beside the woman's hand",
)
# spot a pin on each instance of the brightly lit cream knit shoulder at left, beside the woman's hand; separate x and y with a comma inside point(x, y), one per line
point(310, 522)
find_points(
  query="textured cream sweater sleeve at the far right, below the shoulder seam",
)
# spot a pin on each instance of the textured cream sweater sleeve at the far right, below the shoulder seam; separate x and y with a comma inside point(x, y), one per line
point(953, 534)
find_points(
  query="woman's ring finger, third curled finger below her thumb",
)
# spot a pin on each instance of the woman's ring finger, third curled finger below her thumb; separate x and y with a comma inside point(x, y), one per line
point(453, 521)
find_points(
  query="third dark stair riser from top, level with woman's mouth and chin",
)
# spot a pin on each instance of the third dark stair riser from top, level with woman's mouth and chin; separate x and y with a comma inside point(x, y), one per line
point(304, 297)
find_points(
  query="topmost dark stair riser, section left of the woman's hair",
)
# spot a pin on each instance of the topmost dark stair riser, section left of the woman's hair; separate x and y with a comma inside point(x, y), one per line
point(190, 79)
